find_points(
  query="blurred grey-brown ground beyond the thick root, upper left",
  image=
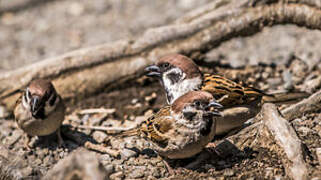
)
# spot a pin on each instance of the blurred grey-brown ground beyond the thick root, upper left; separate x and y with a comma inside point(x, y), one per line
point(32, 30)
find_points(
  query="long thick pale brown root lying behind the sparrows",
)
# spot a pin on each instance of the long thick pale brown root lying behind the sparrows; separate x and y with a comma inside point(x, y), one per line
point(86, 71)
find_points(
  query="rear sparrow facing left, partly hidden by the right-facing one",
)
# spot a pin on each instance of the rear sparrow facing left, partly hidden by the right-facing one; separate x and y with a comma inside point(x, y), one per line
point(179, 75)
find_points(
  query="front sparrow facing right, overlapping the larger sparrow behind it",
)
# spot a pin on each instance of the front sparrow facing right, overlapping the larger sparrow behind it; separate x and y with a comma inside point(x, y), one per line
point(182, 129)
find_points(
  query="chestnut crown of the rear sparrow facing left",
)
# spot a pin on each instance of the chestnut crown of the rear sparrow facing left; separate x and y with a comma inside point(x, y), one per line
point(184, 63)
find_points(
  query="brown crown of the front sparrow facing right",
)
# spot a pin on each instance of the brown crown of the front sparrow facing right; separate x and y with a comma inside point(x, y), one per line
point(190, 97)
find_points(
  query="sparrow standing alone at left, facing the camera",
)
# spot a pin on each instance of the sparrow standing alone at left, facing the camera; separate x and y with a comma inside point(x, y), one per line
point(40, 110)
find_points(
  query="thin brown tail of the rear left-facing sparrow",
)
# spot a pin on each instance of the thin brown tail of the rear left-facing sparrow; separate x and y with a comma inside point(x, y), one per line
point(285, 97)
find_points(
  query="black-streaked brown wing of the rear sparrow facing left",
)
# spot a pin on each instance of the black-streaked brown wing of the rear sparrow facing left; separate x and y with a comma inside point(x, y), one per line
point(228, 92)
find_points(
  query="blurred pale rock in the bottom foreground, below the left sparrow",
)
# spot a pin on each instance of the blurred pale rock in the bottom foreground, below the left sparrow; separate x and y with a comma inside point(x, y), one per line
point(81, 164)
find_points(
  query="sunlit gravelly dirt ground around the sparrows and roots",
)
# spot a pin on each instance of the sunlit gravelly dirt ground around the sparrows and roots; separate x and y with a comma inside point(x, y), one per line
point(276, 59)
